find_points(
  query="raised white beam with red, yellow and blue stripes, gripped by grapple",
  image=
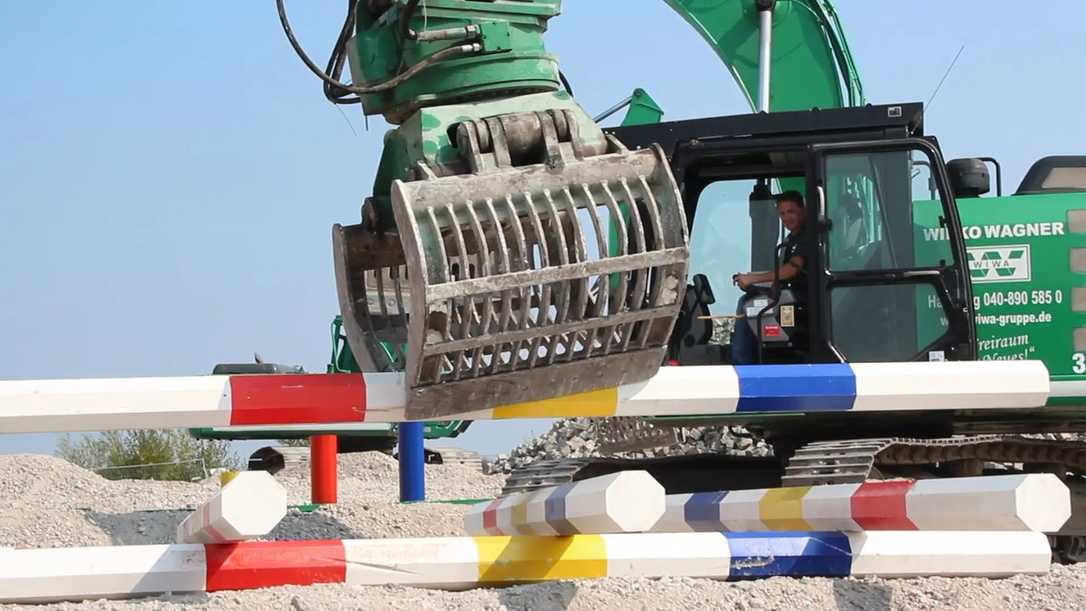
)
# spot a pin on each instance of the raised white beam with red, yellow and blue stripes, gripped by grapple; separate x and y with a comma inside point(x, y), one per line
point(35, 406)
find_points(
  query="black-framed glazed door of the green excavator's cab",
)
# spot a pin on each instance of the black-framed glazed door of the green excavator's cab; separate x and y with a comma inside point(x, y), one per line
point(890, 276)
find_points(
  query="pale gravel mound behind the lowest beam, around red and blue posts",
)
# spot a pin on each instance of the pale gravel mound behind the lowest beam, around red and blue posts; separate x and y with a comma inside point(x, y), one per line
point(74, 507)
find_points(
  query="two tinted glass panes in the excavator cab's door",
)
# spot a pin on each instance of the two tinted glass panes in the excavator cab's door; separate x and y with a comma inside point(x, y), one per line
point(886, 213)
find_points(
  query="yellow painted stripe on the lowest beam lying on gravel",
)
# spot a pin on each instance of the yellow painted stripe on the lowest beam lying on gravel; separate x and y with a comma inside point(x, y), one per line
point(531, 559)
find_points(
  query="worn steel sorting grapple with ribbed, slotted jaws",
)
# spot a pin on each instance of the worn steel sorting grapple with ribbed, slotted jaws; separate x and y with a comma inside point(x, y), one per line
point(520, 283)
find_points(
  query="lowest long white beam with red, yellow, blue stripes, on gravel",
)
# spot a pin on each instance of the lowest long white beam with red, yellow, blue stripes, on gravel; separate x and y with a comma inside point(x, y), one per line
point(37, 576)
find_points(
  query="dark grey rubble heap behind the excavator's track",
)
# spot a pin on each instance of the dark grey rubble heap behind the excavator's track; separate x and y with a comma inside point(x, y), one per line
point(584, 438)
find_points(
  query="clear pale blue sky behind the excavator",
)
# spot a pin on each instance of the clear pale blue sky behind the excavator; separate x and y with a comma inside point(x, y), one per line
point(170, 172)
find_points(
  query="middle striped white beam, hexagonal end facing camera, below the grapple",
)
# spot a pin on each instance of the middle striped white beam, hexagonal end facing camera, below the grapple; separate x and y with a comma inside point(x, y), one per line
point(628, 502)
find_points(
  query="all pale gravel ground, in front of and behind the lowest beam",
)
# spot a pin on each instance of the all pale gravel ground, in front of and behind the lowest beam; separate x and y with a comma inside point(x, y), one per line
point(46, 502)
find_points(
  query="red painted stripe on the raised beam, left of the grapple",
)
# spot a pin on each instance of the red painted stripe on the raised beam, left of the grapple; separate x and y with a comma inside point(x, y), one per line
point(308, 399)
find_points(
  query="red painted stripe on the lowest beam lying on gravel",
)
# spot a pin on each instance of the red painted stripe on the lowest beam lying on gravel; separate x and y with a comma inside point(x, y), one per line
point(257, 565)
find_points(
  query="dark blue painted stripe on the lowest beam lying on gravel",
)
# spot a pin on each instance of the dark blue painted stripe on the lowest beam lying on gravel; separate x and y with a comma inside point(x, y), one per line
point(789, 555)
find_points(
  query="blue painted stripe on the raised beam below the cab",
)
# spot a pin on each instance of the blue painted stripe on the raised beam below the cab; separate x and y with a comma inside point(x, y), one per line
point(797, 388)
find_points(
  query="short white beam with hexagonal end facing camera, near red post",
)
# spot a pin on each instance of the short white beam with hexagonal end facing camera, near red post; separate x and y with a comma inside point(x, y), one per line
point(247, 507)
